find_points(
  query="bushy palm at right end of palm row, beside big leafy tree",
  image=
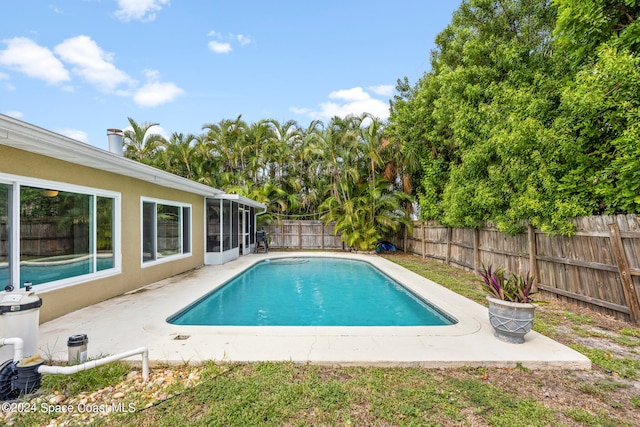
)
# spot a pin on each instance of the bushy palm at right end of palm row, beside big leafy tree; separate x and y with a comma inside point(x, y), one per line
point(364, 205)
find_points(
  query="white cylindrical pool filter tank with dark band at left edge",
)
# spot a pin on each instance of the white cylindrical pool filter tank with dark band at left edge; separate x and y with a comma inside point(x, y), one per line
point(19, 317)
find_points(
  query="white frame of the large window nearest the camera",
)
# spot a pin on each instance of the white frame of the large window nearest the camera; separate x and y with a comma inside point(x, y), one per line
point(16, 182)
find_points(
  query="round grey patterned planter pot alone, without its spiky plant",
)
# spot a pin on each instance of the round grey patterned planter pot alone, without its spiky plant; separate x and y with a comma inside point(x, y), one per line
point(510, 320)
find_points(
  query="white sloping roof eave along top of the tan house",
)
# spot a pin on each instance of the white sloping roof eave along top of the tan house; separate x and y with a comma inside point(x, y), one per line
point(24, 136)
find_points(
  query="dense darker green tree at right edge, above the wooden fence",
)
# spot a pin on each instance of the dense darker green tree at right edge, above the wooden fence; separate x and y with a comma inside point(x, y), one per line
point(601, 121)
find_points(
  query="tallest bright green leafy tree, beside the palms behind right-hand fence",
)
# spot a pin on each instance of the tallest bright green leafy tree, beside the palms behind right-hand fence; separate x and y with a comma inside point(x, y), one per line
point(482, 119)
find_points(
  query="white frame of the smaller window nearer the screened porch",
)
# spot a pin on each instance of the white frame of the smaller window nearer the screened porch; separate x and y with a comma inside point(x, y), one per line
point(182, 227)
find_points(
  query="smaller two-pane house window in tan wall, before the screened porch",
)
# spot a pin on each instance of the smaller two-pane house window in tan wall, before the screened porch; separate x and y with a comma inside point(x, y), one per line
point(166, 230)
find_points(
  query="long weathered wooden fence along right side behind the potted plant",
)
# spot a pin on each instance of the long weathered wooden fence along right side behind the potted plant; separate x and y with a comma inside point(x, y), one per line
point(597, 267)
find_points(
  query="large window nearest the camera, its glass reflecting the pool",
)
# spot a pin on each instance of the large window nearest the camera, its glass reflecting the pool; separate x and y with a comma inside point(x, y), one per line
point(52, 234)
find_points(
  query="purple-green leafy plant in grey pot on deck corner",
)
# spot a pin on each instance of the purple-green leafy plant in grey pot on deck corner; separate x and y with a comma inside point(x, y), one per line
point(511, 311)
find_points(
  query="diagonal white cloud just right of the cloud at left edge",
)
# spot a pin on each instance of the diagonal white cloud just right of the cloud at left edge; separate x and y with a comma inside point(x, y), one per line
point(92, 63)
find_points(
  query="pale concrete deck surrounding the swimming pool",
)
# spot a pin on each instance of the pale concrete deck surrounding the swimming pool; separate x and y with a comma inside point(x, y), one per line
point(138, 319)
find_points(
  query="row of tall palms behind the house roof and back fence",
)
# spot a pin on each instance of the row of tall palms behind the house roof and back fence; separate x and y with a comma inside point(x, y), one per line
point(348, 168)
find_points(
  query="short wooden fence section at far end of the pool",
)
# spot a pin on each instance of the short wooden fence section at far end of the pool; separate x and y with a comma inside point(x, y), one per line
point(297, 234)
